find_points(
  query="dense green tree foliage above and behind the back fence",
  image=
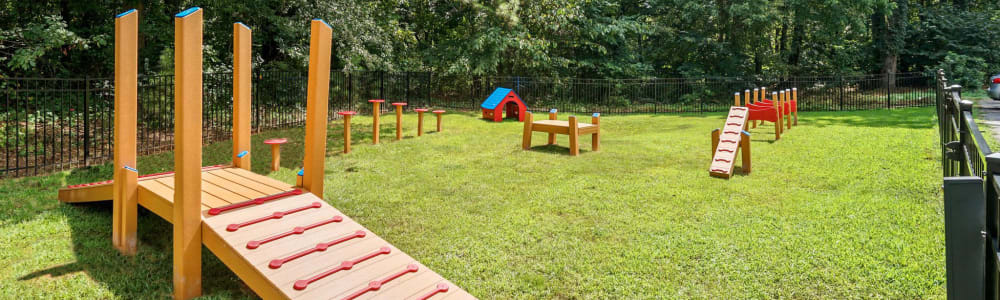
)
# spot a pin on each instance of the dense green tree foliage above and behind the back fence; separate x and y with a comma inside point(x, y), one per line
point(558, 38)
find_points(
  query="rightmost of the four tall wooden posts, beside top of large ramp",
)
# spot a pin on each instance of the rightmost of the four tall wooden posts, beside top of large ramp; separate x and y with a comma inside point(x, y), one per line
point(321, 38)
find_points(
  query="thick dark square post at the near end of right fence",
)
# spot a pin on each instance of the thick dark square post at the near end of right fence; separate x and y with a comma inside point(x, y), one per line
point(965, 237)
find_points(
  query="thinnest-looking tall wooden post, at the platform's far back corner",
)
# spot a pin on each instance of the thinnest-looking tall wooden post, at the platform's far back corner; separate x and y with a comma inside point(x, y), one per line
point(241, 95)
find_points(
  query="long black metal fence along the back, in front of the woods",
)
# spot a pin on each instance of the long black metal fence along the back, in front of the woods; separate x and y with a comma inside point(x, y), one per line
point(53, 124)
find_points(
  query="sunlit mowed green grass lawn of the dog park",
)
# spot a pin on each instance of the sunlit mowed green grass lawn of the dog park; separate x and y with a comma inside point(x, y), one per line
point(846, 205)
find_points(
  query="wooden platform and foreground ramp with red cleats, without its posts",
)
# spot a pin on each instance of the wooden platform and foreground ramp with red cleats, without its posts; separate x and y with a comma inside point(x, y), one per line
point(295, 245)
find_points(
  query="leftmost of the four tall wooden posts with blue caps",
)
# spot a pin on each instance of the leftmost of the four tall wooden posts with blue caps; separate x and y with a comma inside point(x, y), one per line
point(125, 195)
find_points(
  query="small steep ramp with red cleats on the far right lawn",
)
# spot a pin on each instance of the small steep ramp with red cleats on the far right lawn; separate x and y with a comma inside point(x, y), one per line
point(728, 141)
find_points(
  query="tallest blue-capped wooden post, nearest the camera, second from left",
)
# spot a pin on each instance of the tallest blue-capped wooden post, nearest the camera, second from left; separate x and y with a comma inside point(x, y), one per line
point(187, 153)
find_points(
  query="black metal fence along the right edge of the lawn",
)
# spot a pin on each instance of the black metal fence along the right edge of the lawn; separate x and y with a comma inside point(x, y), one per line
point(971, 196)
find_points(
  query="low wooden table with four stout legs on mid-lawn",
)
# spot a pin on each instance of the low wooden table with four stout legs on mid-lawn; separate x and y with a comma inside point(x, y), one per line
point(572, 128)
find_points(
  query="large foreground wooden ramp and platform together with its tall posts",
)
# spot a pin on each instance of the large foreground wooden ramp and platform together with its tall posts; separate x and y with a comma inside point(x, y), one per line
point(284, 241)
